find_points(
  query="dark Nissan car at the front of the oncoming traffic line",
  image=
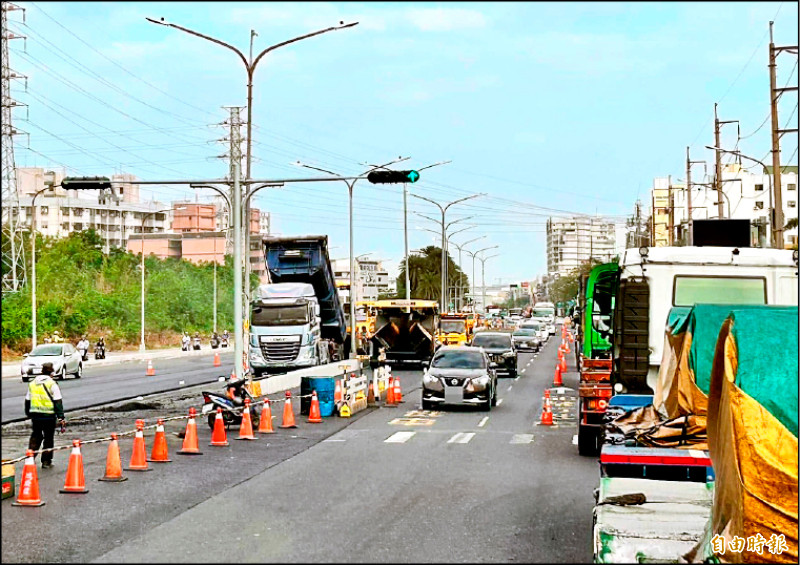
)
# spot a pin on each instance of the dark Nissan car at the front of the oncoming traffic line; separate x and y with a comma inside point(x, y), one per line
point(459, 375)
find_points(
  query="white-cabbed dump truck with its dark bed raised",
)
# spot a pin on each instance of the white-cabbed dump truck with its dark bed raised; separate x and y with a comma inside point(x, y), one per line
point(297, 320)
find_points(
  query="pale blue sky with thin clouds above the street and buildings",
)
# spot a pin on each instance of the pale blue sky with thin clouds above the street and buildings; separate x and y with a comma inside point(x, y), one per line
point(547, 109)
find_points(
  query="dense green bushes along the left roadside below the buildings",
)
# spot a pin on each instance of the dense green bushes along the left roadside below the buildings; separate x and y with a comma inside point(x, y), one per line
point(81, 290)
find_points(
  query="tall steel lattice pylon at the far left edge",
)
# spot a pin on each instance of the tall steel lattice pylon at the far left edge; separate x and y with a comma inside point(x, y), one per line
point(13, 252)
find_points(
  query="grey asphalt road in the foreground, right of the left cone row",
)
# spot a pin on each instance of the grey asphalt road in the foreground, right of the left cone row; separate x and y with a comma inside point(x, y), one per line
point(459, 485)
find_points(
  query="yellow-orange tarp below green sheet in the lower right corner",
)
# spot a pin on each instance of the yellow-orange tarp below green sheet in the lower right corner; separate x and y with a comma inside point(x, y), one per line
point(755, 461)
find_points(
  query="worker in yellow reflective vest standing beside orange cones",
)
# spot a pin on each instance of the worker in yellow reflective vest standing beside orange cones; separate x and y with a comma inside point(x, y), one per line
point(44, 407)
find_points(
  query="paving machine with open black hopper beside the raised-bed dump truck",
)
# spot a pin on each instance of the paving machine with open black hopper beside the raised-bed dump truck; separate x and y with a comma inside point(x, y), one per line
point(405, 331)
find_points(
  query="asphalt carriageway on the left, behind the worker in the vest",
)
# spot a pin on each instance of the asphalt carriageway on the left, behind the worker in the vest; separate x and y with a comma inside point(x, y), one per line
point(105, 384)
